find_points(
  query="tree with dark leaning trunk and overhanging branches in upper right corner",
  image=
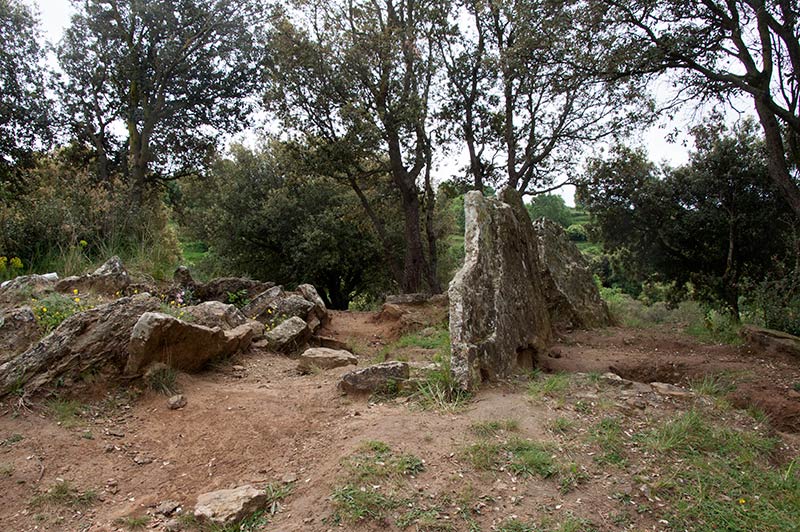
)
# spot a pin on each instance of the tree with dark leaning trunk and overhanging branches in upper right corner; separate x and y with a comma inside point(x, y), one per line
point(718, 49)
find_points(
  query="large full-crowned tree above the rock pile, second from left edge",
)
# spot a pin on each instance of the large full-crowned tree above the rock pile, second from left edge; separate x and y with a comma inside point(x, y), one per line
point(175, 73)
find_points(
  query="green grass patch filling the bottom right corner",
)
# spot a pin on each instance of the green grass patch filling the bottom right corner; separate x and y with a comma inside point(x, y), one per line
point(719, 478)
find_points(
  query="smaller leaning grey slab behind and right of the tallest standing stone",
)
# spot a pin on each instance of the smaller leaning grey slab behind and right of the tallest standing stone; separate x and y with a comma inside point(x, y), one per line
point(573, 300)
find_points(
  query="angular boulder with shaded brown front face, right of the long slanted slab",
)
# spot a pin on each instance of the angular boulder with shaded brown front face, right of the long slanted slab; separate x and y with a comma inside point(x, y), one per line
point(158, 337)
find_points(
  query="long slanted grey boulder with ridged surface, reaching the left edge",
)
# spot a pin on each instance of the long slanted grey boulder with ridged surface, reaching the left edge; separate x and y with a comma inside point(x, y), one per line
point(91, 340)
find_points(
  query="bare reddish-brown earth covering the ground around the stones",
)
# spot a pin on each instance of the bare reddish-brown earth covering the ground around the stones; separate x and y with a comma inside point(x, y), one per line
point(264, 422)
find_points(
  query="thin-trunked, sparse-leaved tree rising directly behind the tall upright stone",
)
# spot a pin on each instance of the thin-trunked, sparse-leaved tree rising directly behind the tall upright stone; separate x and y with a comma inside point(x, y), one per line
point(518, 97)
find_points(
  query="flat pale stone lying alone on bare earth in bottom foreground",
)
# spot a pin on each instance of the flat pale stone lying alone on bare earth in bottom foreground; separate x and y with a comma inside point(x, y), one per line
point(227, 507)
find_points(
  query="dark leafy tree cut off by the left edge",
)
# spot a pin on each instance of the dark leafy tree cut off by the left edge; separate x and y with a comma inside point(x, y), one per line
point(24, 110)
